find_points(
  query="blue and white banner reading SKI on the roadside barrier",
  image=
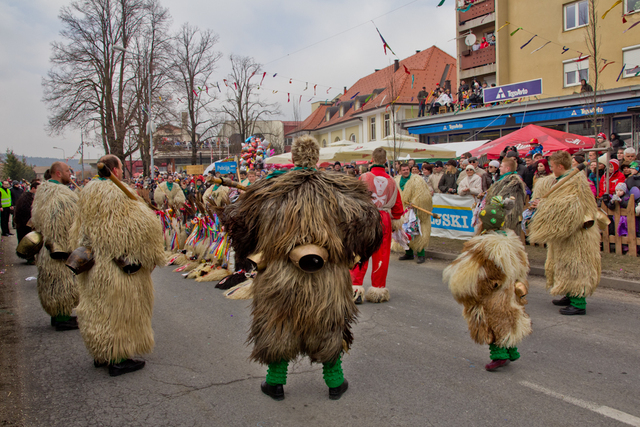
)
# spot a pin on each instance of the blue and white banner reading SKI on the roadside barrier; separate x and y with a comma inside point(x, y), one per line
point(456, 216)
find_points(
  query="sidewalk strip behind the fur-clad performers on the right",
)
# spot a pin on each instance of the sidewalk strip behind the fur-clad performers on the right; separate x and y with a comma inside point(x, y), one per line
point(618, 271)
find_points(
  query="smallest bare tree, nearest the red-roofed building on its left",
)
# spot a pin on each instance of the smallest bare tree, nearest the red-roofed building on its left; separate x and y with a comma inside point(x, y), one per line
point(243, 106)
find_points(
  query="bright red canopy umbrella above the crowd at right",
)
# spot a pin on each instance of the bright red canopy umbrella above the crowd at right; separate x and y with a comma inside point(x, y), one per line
point(552, 140)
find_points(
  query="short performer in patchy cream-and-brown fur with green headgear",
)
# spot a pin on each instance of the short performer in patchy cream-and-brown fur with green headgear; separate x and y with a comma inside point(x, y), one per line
point(489, 278)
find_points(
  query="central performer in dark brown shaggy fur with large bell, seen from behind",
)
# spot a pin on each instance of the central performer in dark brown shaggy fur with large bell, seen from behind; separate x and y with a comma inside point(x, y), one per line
point(302, 221)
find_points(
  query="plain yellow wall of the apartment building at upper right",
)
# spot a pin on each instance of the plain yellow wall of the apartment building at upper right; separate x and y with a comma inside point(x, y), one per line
point(546, 19)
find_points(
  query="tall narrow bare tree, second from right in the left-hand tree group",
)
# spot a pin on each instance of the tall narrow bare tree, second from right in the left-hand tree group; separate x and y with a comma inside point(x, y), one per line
point(194, 61)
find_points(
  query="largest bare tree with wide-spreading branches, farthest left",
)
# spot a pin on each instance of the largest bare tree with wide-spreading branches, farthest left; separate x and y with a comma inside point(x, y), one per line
point(89, 83)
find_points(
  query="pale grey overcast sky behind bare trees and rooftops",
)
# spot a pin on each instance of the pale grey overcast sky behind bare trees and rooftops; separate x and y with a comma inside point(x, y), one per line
point(269, 31)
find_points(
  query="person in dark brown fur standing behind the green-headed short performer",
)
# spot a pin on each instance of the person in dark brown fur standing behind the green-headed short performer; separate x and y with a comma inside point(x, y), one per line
point(508, 186)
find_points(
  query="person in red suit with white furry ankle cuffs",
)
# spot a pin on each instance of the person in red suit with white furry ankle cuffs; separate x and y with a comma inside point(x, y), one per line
point(386, 196)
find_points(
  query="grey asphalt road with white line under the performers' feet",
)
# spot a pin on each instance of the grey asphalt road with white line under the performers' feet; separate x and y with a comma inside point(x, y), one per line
point(412, 364)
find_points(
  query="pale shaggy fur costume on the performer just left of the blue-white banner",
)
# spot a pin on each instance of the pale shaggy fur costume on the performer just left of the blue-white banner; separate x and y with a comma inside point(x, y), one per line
point(417, 193)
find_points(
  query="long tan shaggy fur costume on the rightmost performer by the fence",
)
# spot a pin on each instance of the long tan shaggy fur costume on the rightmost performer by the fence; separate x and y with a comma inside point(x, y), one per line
point(573, 252)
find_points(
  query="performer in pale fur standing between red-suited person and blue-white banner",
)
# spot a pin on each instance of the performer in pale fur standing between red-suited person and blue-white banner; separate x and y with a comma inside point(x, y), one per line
point(414, 191)
